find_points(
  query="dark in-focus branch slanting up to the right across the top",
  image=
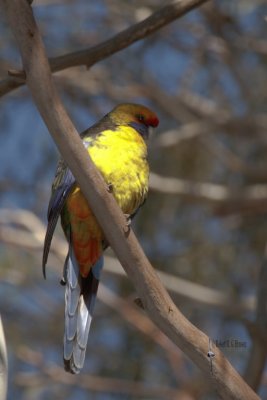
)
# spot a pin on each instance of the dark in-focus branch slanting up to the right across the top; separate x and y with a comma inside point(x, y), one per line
point(91, 56)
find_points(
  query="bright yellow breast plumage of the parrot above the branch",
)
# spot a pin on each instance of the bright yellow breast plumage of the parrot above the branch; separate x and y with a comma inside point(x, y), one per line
point(121, 157)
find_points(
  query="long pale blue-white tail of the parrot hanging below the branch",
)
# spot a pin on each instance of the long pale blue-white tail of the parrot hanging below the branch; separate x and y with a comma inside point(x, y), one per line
point(80, 296)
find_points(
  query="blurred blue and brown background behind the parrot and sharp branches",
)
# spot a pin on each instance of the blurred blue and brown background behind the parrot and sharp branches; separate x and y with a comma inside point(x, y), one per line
point(204, 225)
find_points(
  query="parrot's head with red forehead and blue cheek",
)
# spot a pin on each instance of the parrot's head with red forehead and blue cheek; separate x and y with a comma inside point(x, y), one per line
point(139, 117)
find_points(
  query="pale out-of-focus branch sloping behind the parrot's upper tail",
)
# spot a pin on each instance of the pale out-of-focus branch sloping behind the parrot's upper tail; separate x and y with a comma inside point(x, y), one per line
point(22, 228)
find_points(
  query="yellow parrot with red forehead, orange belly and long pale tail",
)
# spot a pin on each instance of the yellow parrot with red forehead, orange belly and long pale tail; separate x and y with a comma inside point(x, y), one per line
point(117, 145)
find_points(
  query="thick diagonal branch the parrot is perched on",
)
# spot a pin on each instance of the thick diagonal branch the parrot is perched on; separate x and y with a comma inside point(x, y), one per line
point(156, 300)
